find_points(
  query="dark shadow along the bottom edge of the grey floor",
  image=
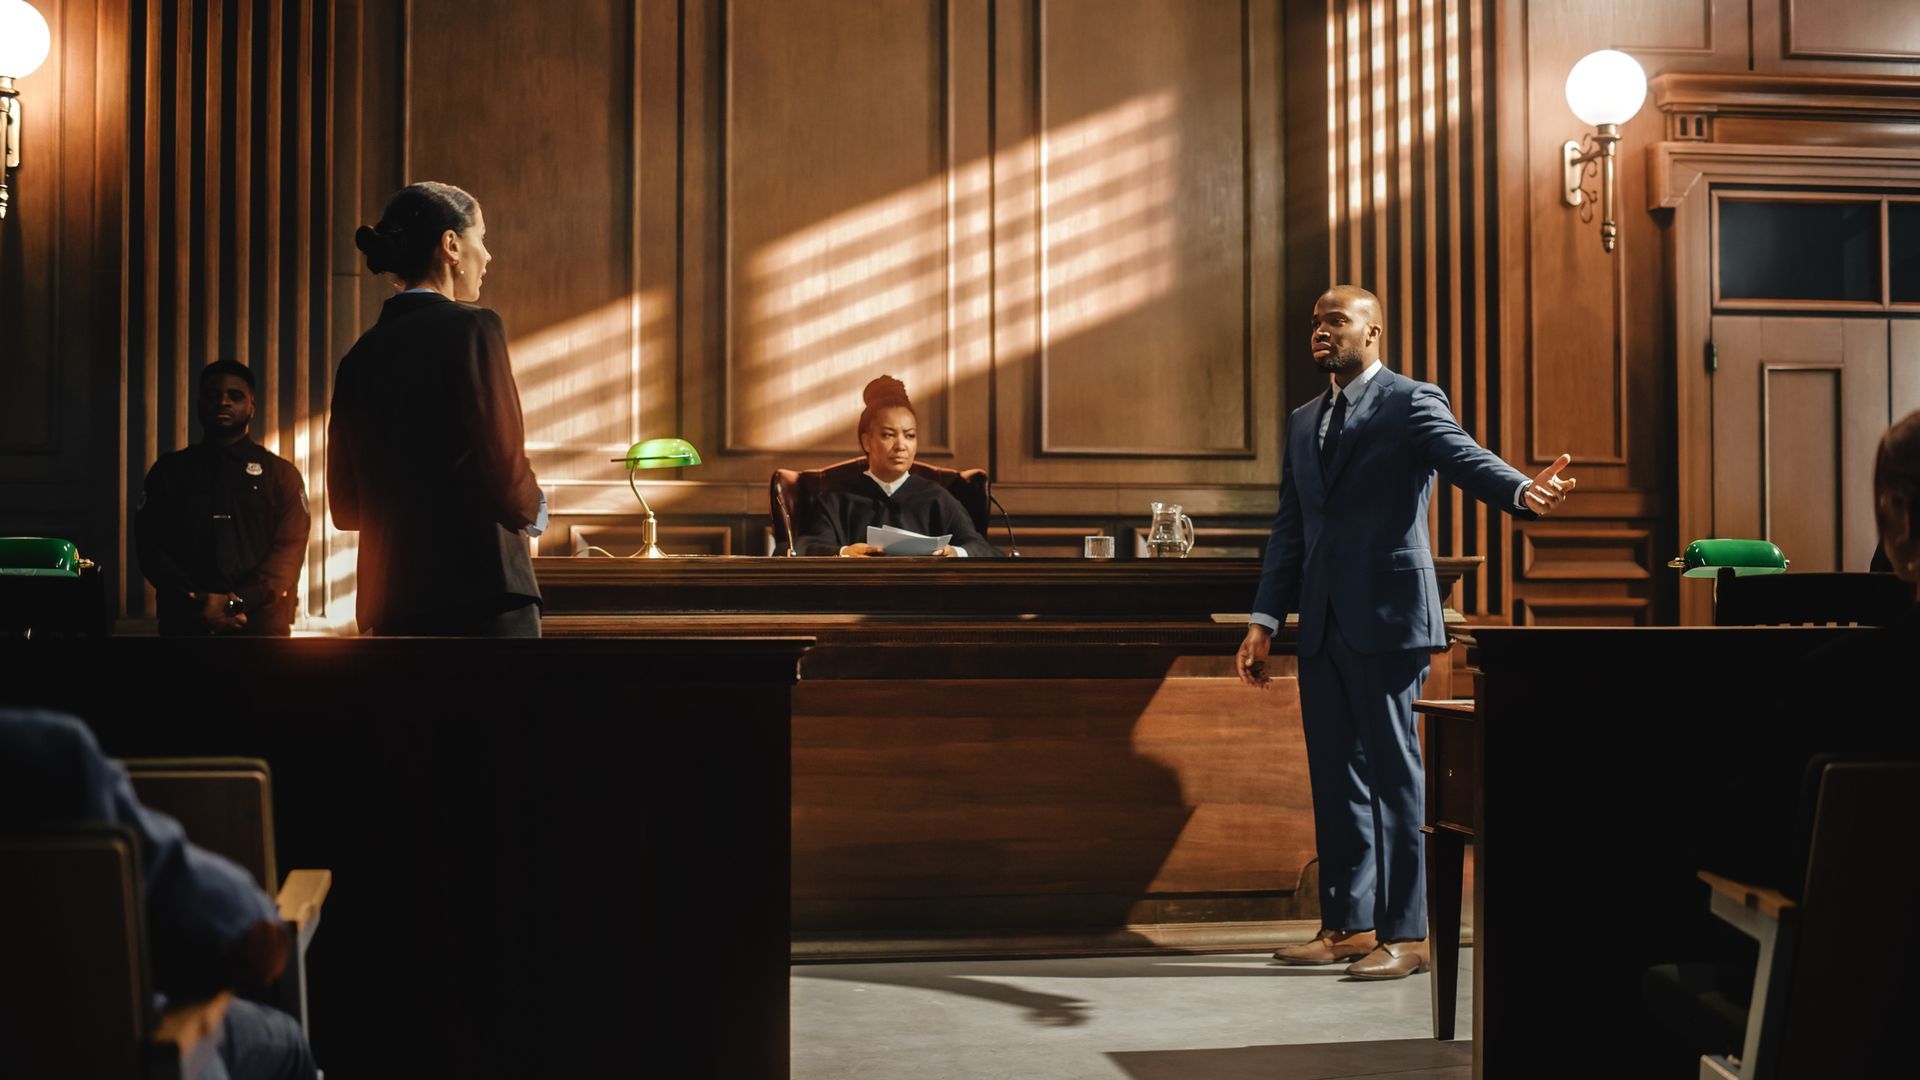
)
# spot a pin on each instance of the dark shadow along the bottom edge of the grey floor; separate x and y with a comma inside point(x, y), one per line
point(1401, 1060)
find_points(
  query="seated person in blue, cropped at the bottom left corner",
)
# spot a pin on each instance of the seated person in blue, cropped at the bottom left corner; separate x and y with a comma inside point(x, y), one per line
point(210, 927)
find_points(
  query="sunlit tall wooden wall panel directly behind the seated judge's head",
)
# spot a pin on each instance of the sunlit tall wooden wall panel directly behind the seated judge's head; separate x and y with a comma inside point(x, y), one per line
point(821, 253)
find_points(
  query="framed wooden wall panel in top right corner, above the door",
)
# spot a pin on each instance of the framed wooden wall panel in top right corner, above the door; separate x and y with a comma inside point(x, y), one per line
point(1877, 37)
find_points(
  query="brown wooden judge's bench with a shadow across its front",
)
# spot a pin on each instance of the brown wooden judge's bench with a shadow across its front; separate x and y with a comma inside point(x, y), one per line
point(997, 752)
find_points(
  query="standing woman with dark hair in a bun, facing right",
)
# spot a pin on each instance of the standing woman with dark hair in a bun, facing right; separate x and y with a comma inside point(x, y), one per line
point(425, 447)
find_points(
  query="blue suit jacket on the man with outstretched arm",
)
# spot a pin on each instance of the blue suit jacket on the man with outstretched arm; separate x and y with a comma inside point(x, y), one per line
point(1355, 545)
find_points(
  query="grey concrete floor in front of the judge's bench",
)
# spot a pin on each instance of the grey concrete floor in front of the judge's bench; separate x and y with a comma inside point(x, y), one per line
point(1195, 1018)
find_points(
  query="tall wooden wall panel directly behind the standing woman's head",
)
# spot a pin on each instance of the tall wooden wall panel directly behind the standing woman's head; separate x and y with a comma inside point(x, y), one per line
point(556, 197)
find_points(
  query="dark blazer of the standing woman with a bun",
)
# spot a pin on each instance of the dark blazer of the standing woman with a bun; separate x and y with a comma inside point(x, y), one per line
point(427, 460)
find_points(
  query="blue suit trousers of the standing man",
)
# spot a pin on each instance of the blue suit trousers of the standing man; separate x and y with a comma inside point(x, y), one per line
point(1364, 762)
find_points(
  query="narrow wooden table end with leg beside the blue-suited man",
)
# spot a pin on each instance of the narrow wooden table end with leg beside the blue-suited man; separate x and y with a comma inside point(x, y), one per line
point(1449, 750)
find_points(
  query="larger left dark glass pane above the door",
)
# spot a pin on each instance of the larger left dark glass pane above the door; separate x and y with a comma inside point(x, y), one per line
point(1800, 251)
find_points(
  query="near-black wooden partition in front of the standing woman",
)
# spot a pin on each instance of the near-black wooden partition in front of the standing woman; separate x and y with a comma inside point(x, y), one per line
point(558, 858)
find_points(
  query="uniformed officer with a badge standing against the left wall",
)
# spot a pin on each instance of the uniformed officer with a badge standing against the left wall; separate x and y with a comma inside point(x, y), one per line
point(224, 526)
